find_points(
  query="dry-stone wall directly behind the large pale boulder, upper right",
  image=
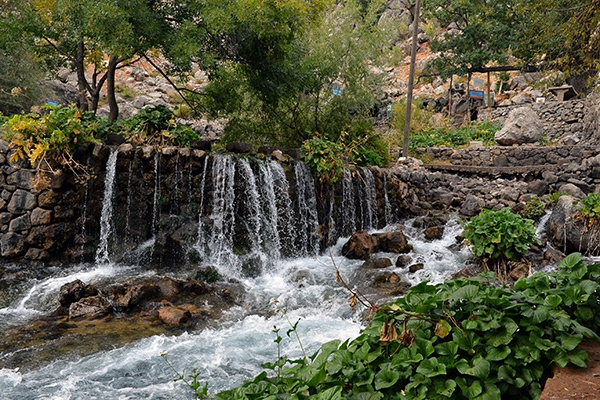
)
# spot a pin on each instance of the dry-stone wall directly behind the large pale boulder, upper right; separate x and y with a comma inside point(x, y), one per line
point(563, 120)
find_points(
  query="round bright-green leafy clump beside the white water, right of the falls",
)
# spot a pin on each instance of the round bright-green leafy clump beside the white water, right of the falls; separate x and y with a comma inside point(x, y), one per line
point(494, 234)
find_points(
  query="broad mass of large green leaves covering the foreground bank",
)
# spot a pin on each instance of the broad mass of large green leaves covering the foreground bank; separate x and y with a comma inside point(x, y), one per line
point(462, 339)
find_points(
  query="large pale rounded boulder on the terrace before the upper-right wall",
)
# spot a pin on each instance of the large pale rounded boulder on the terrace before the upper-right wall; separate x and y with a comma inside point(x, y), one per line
point(522, 126)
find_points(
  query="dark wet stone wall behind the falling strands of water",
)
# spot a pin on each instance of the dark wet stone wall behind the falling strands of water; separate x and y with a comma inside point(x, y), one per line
point(159, 195)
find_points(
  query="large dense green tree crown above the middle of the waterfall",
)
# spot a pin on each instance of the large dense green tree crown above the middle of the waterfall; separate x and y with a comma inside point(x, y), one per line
point(282, 71)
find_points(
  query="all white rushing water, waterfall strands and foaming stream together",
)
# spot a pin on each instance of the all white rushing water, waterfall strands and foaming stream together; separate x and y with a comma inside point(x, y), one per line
point(304, 285)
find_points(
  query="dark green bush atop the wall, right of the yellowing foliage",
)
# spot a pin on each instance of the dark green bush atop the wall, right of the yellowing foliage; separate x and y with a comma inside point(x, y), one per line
point(156, 125)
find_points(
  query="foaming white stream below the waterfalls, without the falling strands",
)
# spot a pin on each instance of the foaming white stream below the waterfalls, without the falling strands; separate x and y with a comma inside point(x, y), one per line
point(224, 356)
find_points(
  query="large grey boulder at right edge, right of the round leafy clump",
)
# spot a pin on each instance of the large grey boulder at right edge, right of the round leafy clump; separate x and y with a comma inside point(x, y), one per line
point(569, 231)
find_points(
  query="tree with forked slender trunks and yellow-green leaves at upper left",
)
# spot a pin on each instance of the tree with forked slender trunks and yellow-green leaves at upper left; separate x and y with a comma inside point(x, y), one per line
point(105, 35)
